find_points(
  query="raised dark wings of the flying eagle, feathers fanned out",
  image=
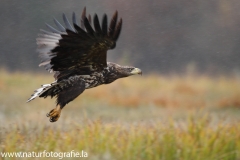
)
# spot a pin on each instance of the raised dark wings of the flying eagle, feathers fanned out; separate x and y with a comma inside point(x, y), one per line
point(78, 50)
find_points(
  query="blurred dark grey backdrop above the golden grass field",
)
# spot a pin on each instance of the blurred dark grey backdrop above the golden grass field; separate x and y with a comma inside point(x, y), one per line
point(157, 36)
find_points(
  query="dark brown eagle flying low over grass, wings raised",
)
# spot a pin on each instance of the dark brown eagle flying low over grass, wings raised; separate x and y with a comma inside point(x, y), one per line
point(77, 55)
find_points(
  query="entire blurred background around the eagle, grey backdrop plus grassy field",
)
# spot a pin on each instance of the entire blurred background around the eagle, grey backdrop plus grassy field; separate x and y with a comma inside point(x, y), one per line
point(185, 106)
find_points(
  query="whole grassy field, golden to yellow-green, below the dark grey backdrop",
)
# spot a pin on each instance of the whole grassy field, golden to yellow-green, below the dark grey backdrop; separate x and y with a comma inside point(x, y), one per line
point(138, 118)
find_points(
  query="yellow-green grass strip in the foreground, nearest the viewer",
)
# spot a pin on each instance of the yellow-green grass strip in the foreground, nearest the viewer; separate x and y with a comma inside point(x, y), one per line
point(196, 139)
